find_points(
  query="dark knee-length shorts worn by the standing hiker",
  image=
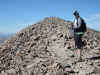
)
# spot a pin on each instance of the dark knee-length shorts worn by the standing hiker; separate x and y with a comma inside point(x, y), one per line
point(78, 41)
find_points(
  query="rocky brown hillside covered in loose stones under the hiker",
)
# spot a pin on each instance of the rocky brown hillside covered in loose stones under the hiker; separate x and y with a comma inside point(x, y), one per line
point(45, 48)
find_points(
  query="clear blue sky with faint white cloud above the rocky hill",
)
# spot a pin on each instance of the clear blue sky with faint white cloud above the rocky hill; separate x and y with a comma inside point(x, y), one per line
point(17, 14)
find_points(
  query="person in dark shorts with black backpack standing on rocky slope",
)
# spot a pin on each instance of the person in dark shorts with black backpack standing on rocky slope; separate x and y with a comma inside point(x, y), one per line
point(79, 28)
